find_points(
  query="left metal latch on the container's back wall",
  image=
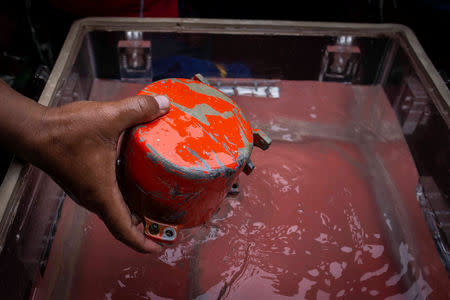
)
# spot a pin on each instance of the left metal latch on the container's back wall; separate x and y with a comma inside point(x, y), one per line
point(135, 61)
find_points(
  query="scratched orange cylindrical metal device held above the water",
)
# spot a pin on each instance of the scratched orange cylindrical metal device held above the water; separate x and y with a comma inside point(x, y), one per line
point(175, 171)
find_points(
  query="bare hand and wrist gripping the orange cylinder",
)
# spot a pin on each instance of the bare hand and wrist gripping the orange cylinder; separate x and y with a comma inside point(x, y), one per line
point(77, 145)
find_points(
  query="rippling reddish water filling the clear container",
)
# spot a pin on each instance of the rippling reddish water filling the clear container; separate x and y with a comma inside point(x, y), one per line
point(329, 212)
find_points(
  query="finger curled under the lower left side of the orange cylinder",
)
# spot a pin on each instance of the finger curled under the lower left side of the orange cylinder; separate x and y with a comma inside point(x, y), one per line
point(123, 226)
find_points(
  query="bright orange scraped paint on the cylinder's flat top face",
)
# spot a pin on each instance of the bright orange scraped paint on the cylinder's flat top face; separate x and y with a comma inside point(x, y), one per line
point(172, 134)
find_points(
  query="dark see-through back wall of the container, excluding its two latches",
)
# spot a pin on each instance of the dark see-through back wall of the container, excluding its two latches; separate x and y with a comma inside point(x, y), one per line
point(255, 56)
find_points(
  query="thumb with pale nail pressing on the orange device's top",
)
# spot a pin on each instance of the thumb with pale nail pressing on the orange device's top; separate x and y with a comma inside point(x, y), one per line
point(140, 109)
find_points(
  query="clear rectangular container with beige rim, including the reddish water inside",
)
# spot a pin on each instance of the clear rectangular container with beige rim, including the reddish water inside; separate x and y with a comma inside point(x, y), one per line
point(348, 202)
